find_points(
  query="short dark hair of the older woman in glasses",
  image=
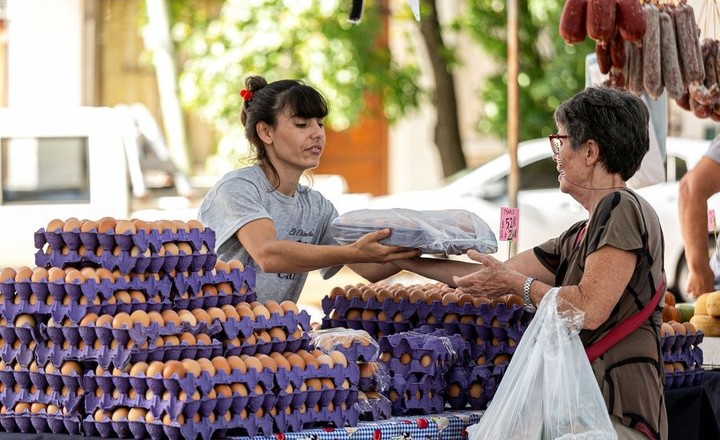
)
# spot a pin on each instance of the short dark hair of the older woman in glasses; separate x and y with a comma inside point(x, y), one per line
point(616, 119)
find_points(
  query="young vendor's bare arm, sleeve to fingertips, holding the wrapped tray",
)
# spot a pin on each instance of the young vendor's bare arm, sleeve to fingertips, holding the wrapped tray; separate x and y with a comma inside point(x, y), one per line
point(275, 255)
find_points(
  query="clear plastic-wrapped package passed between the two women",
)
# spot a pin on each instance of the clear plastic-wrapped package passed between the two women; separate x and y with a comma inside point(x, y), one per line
point(450, 231)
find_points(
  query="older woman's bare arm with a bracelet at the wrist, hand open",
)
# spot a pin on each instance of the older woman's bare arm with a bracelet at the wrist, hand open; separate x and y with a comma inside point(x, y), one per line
point(607, 272)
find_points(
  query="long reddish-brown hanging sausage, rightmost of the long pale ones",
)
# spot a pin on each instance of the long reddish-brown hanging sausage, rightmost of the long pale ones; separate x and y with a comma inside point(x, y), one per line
point(688, 44)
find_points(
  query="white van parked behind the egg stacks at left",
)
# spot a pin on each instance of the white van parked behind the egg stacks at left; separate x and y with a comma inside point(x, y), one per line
point(69, 162)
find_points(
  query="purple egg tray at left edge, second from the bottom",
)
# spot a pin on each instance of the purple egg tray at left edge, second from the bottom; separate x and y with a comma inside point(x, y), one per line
point(61, 387)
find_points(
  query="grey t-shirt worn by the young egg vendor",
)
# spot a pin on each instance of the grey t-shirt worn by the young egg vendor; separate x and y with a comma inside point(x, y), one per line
point(244, 195)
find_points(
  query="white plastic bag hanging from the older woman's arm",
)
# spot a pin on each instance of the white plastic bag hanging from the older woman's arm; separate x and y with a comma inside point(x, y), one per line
point(549, 390)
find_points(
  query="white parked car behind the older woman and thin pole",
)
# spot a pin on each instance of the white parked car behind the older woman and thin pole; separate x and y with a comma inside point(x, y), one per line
point(544, 211)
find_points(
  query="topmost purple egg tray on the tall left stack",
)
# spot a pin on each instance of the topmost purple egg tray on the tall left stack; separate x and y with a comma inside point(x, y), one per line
point(143, 240)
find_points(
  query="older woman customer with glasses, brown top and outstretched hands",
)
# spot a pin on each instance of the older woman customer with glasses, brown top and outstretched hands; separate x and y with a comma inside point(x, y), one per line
point(610, 266)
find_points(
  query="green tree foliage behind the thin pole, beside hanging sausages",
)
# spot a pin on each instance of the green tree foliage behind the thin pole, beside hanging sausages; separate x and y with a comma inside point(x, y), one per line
point(550, 70)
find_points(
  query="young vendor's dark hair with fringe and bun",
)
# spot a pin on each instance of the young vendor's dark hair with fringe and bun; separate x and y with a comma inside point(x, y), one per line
point(269, 100)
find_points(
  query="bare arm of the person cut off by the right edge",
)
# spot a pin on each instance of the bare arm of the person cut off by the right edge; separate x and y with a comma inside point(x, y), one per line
point(696, 187)
